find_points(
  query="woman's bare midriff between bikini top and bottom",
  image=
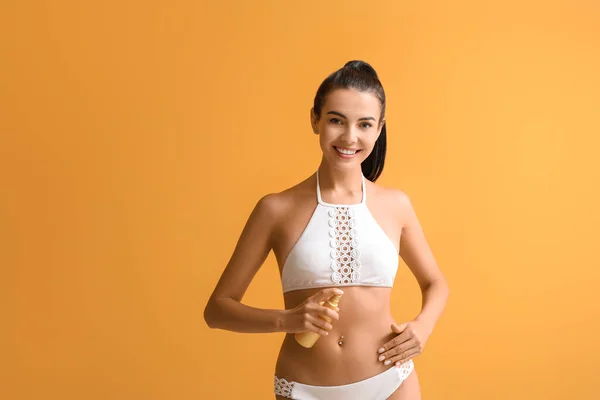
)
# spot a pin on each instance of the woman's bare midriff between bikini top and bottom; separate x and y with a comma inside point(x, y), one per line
point(349, 352)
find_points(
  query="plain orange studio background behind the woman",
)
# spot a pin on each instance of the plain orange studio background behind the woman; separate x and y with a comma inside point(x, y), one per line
point(137, 136)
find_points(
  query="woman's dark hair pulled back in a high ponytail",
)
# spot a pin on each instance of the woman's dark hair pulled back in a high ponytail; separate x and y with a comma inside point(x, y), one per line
point(361, 76)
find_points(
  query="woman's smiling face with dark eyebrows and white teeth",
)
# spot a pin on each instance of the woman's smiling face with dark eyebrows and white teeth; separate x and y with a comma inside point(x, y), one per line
point(348, 127)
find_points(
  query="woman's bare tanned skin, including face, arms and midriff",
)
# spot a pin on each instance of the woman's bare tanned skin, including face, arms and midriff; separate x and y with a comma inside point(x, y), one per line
point(364, 318)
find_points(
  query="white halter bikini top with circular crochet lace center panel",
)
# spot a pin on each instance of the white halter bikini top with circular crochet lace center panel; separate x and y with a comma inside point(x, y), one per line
point(342, 245)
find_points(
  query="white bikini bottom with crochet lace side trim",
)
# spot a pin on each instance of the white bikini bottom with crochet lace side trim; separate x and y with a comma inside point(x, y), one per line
point(378, 387)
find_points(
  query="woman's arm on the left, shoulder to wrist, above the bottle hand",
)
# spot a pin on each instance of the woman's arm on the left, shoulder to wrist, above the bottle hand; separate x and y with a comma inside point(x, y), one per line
point(224, 309)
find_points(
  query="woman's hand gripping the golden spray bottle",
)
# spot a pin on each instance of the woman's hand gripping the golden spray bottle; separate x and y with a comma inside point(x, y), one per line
point(305, 316)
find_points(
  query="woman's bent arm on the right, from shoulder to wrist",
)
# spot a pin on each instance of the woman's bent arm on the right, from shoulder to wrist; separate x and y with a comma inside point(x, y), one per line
point(417, 255)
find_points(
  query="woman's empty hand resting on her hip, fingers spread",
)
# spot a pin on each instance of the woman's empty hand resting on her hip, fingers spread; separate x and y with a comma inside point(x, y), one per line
point(409, 343)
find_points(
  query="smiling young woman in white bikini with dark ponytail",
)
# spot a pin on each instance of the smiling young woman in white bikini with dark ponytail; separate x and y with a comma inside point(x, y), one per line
point(337, 232)
